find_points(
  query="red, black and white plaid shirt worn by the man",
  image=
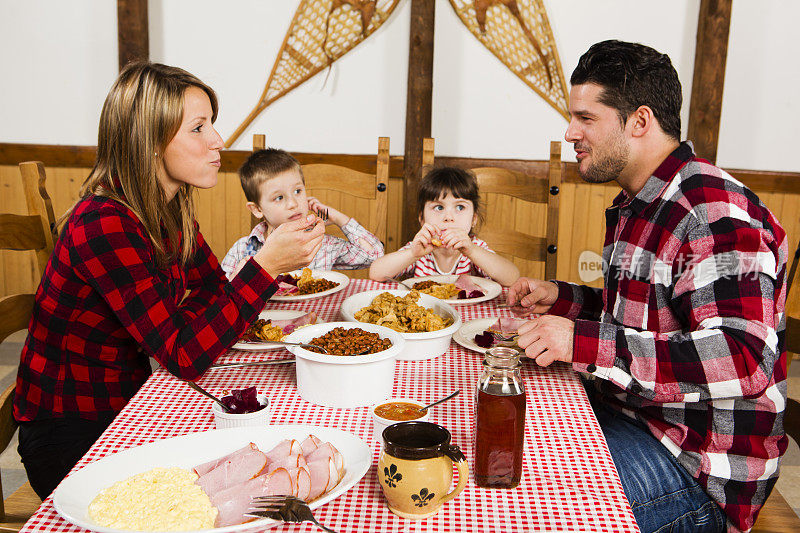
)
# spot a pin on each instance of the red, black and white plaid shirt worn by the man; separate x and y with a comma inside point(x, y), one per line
point(687, 334)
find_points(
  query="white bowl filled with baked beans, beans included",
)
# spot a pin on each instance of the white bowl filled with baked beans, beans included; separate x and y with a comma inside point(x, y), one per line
point(345, 381)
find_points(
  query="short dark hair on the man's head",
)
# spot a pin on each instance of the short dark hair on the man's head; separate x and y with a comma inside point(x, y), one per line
point(633, 75)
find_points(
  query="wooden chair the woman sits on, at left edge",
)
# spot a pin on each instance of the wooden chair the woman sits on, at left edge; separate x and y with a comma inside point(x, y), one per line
point(34, 231)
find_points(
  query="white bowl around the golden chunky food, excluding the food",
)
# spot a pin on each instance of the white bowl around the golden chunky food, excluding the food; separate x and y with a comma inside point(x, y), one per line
point(418, 345)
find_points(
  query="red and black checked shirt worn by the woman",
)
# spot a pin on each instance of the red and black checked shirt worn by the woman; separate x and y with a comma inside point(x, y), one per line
point(104, 306)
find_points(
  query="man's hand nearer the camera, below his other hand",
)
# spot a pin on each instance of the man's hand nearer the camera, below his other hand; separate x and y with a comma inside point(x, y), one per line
point(547, 338)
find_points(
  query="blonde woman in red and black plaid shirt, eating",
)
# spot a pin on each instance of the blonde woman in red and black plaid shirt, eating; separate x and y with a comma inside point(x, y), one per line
point(131, 277)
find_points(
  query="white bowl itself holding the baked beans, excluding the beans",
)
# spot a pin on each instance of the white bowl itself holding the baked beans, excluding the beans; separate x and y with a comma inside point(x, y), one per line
point(344, 381)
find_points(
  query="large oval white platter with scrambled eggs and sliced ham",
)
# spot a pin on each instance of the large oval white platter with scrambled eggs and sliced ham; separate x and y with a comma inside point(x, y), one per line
point(122, 492)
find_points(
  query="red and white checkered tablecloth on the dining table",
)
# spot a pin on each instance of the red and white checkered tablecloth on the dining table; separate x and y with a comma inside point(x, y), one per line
point(569, 482)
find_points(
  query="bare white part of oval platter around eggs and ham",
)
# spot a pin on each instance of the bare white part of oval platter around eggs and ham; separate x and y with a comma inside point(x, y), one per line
point(72, 497)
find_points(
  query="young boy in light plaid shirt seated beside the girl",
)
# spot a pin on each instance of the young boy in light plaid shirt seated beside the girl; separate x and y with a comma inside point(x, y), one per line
point(275, 190)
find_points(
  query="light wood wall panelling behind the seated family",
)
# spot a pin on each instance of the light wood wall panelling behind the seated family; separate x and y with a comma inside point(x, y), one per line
point(223, 218)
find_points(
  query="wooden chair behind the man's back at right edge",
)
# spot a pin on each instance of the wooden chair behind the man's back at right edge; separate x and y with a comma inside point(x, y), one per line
point(777, 515)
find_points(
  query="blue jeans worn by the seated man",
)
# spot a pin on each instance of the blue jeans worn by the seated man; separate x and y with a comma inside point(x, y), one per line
point(663, 496)
